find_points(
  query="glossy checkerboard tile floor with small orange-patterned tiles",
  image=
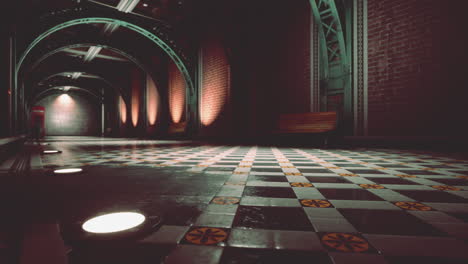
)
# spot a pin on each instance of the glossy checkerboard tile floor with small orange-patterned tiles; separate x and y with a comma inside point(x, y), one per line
point(304, 204)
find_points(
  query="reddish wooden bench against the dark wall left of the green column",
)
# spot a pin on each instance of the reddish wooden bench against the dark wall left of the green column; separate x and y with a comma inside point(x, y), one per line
point(307, 123)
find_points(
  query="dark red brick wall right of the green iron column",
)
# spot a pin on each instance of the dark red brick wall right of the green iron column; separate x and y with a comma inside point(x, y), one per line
point(410, 44)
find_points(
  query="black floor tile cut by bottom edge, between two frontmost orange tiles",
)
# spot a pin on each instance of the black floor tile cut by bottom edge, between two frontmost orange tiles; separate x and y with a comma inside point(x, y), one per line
point(265, 256)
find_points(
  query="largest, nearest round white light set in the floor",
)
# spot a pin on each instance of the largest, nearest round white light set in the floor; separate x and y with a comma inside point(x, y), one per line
point(114, 222)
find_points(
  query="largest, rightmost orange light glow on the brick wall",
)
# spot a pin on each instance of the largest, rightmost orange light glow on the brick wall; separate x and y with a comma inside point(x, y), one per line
point(215, 82)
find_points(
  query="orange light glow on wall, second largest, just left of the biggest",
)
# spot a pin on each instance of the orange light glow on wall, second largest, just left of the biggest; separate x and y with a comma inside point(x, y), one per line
point(176, 93)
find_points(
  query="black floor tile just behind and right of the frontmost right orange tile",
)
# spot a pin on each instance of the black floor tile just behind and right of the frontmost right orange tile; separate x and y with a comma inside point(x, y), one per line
point(389, 222)
